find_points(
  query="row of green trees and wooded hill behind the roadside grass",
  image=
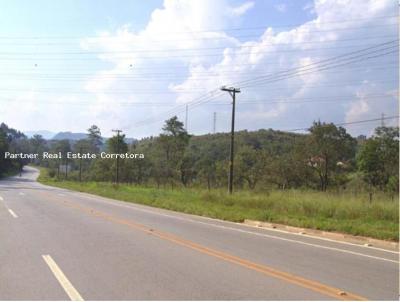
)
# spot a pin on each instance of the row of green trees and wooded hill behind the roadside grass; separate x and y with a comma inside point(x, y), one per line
point(327, 157)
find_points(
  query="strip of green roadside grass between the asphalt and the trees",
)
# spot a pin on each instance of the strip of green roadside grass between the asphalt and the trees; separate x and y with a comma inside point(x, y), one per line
point(329, 211)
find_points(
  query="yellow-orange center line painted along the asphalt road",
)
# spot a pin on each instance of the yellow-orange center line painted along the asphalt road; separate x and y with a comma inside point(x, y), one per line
point(266, 270)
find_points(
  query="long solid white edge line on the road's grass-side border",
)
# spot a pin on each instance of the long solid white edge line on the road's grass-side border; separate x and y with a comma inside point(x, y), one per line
point(249, 232)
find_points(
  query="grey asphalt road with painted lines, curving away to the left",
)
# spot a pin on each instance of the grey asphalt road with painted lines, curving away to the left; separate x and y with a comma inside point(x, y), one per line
point(57, 244)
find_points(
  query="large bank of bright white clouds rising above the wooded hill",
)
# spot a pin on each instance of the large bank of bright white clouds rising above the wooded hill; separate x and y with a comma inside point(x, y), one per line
point(181, 26)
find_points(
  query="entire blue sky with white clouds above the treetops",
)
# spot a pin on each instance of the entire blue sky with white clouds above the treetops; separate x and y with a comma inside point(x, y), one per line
point(65, 65)
